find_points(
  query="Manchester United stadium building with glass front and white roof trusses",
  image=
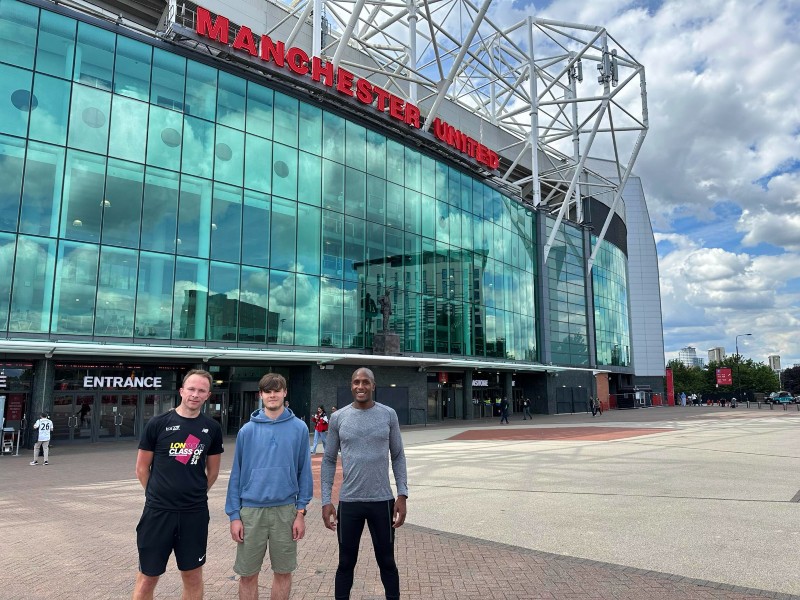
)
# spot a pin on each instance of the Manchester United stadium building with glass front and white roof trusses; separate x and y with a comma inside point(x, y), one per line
point(250, 187)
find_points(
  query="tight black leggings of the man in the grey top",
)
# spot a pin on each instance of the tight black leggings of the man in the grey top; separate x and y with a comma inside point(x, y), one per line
point(378, 517)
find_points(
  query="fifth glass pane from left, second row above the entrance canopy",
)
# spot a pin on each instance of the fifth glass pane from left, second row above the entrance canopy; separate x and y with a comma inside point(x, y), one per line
point(161, 208)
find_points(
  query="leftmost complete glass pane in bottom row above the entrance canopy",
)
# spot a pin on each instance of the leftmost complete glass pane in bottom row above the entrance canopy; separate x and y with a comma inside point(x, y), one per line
point(34, 270)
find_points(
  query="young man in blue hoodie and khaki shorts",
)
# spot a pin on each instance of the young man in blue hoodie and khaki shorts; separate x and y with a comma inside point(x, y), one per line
point(269, 489)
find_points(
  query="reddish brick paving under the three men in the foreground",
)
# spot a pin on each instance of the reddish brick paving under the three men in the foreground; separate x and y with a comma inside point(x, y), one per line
point(67, 531)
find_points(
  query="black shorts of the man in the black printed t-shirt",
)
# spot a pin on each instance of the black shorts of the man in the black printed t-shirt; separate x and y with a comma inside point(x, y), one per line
point(159, 532)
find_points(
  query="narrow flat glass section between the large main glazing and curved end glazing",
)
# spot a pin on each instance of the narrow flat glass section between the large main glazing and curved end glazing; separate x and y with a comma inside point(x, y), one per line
point(566, 270)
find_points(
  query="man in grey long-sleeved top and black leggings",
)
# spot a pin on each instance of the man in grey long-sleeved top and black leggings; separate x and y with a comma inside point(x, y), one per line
point(368, 434)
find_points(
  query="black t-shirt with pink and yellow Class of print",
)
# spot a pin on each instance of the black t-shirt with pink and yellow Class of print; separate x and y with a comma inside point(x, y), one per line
point(178, 475)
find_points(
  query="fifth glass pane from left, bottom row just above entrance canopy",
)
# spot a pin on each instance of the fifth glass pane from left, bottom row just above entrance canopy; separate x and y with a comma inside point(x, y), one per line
point(154, 296)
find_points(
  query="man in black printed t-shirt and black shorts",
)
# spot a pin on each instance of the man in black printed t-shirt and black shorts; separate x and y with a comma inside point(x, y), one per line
point(178, 462)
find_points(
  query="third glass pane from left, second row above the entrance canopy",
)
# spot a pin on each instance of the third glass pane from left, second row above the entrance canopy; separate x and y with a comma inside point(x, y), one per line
point(83, 196)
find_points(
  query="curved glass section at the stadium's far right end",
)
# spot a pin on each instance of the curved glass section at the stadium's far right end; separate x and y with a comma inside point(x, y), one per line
point(610, 290)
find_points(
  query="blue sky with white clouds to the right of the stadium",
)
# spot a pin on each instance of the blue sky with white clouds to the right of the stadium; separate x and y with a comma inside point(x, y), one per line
point(720, 165)
